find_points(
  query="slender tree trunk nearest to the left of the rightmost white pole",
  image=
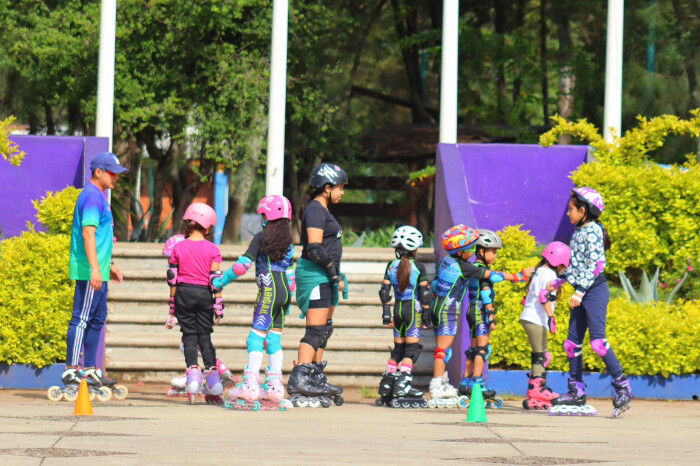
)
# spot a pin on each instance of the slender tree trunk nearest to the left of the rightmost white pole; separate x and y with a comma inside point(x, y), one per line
point(567, 78)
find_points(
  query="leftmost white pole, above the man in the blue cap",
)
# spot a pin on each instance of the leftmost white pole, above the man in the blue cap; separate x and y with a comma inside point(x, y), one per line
point(104, 126)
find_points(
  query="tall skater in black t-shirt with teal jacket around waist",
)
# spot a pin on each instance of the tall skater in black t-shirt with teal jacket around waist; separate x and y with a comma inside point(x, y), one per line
point(321, 281)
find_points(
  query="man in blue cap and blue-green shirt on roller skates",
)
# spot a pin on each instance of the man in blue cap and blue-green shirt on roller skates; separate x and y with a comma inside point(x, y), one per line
point(91, 266)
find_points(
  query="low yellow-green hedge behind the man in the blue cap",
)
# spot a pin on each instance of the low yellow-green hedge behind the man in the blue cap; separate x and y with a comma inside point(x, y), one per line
point(35, 298)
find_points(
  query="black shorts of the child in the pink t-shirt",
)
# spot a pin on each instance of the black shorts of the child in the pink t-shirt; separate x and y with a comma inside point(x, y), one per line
point(193, 309)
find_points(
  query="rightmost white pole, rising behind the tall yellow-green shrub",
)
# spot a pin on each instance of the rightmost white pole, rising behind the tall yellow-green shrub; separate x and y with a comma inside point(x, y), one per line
point(613, 69)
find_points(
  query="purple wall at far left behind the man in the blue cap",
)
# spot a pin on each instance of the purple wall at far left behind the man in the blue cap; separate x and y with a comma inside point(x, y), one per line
point(51, 164)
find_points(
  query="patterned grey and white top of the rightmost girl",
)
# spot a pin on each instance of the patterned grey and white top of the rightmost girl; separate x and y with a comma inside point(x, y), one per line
point(587, 256)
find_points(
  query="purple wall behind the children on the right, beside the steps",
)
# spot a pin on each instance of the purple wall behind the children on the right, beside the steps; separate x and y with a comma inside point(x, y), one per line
point(496, 185)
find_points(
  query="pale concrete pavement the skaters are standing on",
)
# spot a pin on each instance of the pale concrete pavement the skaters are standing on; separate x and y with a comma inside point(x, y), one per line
point(148, 428)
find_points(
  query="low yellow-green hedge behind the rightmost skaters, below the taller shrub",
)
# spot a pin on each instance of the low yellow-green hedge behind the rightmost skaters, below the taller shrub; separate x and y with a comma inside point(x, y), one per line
point(648, 339)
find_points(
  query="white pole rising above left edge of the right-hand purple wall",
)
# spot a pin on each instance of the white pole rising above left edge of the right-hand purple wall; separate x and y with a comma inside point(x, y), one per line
point(448, 80)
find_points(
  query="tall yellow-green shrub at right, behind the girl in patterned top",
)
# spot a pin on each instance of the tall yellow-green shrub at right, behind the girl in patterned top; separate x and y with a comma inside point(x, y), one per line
point(651, 213)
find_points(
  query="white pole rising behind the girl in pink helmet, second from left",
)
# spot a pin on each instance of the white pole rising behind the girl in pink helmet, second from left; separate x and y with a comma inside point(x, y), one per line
point(274, 181)
